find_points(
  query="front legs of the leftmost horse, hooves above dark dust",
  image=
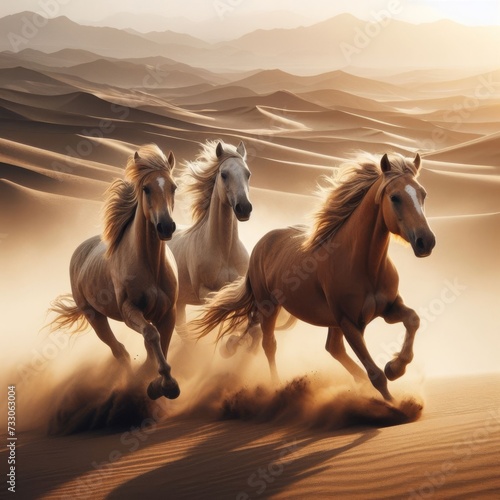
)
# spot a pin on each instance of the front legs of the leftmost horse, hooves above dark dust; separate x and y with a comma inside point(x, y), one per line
point(134, 318)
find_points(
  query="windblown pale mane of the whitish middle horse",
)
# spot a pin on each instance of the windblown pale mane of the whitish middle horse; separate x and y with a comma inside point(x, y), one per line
point(198, 177)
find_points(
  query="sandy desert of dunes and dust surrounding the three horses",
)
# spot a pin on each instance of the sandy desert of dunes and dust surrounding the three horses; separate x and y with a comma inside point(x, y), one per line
point(70, 115)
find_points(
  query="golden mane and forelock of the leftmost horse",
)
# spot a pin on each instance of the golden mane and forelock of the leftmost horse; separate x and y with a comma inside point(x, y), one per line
point(121, 198)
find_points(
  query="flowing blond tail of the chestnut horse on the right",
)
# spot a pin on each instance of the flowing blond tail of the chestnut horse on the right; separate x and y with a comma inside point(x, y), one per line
point(230, 308)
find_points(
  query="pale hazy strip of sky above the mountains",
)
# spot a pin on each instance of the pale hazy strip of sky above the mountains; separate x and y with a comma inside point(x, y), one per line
point(472, 12)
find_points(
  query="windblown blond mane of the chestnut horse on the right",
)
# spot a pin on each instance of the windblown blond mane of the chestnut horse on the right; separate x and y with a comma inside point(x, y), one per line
point(345, 190)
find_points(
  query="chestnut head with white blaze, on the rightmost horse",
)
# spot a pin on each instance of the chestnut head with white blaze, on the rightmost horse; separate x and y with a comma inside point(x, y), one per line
point(402, 202)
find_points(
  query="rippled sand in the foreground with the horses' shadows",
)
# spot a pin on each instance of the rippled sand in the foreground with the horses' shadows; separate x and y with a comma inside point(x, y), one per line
point(450, 452)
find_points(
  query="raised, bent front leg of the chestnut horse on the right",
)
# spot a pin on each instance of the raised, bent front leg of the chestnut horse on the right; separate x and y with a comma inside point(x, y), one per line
point(398, 312)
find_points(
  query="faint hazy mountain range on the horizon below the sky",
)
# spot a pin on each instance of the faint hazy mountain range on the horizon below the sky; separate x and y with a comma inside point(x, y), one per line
point(341, 42)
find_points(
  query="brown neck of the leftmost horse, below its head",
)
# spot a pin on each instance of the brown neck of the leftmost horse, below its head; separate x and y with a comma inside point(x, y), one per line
point(149, 248)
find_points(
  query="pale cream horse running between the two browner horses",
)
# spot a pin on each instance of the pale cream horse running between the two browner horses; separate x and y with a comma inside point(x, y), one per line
point(209, 254)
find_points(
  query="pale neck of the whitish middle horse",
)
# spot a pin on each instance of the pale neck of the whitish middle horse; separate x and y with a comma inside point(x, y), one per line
point(221, 225)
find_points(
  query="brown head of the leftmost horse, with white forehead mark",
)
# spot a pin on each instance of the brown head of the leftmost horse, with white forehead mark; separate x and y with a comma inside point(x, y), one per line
point(158, 189)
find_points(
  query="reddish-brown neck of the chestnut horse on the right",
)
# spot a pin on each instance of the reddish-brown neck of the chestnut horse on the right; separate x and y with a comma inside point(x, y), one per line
point(368, 234)
